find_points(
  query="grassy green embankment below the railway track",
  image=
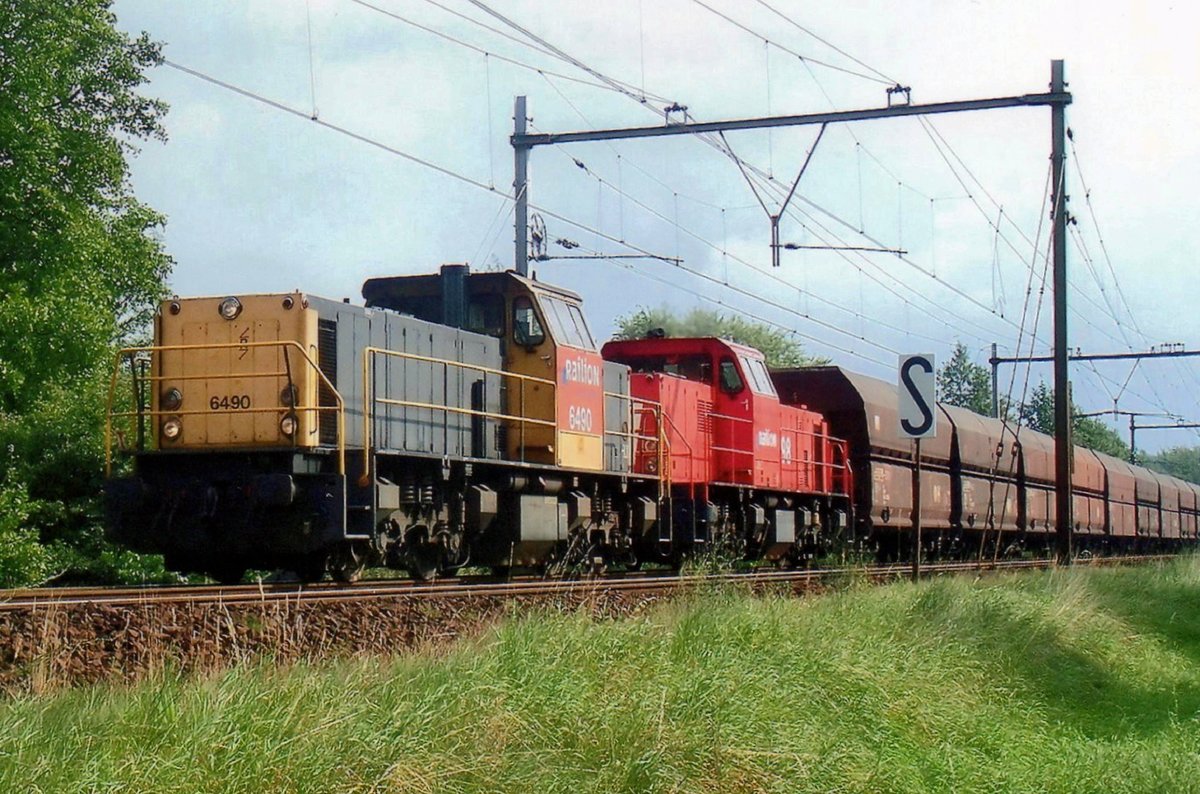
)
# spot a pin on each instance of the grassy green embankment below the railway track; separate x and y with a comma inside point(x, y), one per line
point(1087, 681)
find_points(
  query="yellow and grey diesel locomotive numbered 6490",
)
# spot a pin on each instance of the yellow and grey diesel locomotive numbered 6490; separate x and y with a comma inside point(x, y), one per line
point(455, 419)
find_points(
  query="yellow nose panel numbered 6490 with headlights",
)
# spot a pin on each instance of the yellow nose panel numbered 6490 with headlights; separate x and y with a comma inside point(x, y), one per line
point(237, 371)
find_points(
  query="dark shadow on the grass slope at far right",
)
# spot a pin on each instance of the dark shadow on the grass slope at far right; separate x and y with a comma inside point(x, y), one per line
point(1076, 688)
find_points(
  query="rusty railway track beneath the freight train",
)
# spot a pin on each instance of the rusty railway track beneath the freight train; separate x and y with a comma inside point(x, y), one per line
point(491, 587)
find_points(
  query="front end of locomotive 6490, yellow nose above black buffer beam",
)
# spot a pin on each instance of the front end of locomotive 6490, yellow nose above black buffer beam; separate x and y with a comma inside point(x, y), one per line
point(236, 429)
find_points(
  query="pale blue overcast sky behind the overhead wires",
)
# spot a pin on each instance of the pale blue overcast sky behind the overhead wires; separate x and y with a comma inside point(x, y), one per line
point(262, 201)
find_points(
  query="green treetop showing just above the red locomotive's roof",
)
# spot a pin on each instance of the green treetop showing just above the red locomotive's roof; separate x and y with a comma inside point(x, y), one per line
point(781, 348)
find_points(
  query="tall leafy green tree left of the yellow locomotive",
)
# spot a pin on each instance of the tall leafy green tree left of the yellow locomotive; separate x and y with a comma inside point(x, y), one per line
point(81, 264)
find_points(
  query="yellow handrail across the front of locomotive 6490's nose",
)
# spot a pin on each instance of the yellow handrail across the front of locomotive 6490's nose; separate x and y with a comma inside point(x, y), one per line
point(155, 350)
